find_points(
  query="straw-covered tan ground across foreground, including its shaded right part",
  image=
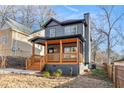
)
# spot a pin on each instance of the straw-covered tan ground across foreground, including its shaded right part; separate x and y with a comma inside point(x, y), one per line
point(28, 81)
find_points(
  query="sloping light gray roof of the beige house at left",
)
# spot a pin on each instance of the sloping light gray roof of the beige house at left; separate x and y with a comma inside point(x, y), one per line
point(9, 23)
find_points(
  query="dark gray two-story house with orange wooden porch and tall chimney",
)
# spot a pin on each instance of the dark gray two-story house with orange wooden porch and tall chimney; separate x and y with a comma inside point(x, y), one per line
point(67, 46)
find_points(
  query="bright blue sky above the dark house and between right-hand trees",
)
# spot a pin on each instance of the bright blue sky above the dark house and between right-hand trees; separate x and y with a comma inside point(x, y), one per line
point(76, 12)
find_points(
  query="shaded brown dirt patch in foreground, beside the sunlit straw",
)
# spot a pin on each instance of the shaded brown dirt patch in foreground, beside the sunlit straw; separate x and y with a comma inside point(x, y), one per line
point(87, 82)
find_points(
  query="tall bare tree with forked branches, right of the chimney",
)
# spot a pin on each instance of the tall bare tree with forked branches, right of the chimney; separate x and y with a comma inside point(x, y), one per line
point(108, 27)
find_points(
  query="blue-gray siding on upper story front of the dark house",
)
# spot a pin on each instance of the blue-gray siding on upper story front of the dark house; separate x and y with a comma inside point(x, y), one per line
point(60, 29)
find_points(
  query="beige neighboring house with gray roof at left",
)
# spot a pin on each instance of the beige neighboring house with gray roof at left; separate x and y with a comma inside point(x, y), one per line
point(14, 40)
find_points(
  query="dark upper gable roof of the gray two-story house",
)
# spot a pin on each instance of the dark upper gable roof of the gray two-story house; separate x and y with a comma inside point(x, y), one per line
point(66, 22)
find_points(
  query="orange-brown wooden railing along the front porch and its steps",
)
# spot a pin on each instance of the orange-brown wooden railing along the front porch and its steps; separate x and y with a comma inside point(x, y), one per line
point(55, 57)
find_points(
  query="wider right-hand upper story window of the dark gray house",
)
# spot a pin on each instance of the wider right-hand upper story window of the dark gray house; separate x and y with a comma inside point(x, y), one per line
point(70, 30)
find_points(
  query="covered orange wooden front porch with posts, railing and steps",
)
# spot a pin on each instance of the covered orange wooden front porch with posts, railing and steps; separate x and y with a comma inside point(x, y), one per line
point(57, 51)
